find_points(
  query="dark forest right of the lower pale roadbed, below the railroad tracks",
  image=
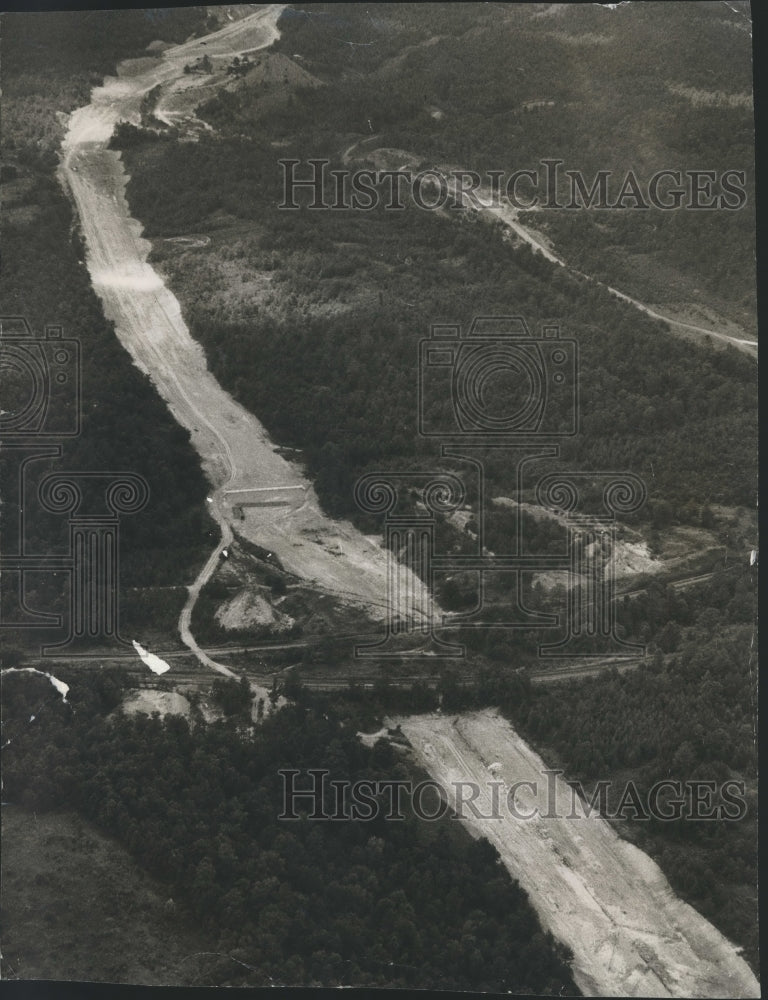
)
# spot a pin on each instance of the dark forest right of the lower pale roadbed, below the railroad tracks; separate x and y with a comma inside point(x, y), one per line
point(689, 716)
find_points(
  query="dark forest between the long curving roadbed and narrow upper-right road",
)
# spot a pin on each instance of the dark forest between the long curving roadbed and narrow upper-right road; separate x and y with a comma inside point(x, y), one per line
point(313, 321)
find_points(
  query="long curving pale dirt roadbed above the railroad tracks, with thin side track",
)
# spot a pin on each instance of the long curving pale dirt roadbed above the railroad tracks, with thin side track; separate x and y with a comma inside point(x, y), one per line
point(236, 453)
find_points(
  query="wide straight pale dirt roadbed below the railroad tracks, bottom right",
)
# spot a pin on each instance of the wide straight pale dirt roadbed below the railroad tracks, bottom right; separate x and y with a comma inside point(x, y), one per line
point(598, 894)
